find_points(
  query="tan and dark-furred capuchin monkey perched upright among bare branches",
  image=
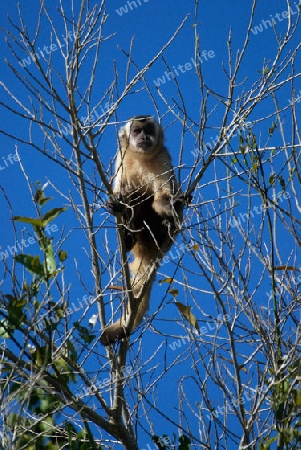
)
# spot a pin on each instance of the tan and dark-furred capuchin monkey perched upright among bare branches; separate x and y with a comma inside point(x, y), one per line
point(147, 196)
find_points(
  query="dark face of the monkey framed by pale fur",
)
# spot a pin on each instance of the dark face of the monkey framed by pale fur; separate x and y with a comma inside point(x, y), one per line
point(143, 136)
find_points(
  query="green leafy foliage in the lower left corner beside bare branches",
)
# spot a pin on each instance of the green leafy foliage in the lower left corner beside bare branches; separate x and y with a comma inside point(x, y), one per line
point(38, 424)
